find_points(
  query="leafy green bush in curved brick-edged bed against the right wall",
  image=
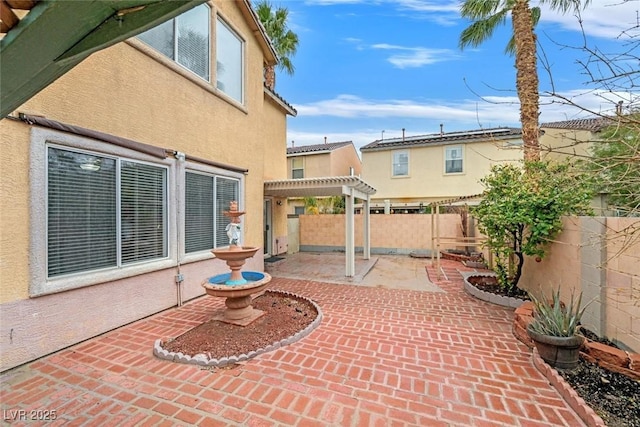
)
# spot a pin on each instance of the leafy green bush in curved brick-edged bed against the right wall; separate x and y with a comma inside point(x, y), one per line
point(522, 209)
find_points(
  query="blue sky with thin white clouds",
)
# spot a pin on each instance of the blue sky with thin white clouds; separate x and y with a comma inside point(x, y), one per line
point(367, 66)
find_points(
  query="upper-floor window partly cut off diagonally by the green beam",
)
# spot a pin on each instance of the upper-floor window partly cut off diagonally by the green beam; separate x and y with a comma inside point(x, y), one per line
point(186, 39)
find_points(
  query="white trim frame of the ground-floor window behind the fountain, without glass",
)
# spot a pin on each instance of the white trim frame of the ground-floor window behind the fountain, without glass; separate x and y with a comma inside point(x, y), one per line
point(182, 177)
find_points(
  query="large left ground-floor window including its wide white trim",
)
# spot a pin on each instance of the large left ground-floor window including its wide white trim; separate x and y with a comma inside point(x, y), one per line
point(98, 212)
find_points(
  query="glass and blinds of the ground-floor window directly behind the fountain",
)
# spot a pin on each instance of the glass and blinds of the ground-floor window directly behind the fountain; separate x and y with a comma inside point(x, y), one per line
point(207, 197)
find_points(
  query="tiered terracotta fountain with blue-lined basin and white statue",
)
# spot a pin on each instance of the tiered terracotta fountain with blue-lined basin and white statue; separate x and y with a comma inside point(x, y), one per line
point(238, 285)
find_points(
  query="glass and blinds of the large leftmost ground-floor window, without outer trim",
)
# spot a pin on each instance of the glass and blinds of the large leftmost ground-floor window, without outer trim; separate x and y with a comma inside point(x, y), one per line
point(103, 212)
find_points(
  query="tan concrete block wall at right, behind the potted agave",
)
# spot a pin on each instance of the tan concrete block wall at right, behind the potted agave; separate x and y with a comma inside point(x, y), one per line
point(599, 257)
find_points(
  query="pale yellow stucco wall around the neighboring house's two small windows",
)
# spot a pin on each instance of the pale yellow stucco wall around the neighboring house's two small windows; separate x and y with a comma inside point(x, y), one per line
point(427, 181)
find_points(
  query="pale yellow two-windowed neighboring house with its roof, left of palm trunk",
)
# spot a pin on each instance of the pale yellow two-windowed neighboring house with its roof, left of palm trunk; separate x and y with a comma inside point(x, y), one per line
point(411, 172)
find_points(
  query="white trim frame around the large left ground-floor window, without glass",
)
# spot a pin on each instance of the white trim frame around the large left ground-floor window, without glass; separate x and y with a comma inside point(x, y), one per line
point(40, 284)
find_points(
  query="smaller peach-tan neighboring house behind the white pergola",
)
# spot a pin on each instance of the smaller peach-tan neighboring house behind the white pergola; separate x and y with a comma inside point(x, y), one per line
point(321, 160)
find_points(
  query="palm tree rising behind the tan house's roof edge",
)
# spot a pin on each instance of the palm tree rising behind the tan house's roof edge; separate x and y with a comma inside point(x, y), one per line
point(285, 41)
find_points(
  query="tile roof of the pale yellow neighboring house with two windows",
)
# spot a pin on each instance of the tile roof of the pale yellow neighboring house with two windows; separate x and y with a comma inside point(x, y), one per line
point(448, 137)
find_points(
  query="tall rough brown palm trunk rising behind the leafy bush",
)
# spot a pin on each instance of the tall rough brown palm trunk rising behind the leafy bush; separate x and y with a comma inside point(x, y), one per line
point(526, 77)
